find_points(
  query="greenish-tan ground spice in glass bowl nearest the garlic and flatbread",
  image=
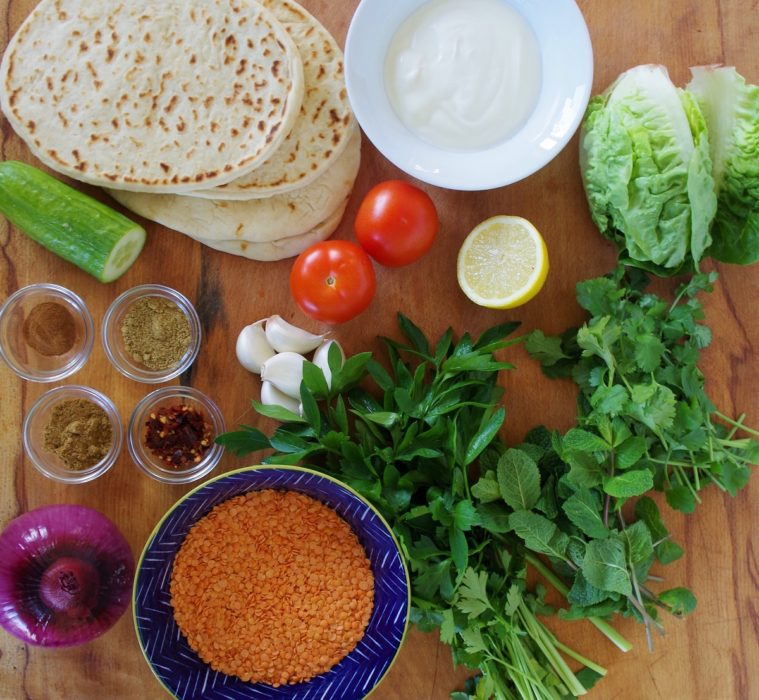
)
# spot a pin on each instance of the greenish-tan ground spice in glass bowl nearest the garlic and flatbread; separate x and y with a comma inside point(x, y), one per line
point(156, 333)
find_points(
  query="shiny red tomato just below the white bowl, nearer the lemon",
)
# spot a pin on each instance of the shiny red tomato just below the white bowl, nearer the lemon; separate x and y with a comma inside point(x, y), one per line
point(396, 223)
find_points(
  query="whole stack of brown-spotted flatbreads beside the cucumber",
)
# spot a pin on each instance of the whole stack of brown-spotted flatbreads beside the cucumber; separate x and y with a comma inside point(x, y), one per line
point(227, 120)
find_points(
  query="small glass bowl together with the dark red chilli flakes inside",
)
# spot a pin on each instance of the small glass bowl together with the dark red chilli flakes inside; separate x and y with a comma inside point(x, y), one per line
point(171, 434)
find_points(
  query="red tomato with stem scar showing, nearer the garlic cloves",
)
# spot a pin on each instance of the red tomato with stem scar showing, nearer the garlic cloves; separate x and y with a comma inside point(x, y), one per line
point(333, 281)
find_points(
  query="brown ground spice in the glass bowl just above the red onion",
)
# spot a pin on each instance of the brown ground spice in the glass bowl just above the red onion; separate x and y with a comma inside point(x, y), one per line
point(79, 432)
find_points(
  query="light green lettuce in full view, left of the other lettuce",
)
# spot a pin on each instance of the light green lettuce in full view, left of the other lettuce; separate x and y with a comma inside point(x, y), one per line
point(646, 167)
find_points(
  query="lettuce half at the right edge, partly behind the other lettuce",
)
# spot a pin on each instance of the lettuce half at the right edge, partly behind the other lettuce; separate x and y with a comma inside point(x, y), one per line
point(731, 110)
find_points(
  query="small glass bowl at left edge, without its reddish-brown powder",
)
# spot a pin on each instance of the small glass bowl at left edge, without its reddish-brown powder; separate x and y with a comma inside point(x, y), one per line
point(22, 358)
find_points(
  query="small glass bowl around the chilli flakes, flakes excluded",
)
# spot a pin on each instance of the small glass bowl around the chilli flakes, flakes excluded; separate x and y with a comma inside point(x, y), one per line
point(166, 397)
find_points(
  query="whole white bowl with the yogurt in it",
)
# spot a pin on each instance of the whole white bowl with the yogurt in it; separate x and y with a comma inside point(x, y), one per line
point(469, 94)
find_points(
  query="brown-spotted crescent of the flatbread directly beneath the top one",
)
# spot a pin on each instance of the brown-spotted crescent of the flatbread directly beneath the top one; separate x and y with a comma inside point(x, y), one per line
point(325, 123)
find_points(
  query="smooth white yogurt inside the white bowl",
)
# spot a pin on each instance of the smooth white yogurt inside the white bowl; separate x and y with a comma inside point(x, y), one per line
point(463, 74)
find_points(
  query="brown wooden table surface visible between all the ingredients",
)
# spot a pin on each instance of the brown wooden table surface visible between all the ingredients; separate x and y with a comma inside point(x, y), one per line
point(713, 655)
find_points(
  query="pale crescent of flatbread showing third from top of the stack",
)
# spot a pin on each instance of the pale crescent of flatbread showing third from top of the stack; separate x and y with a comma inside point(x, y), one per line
point(256, 220)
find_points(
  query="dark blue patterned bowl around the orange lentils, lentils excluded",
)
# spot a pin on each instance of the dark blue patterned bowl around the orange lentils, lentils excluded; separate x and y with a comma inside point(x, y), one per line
point(181, 671)
